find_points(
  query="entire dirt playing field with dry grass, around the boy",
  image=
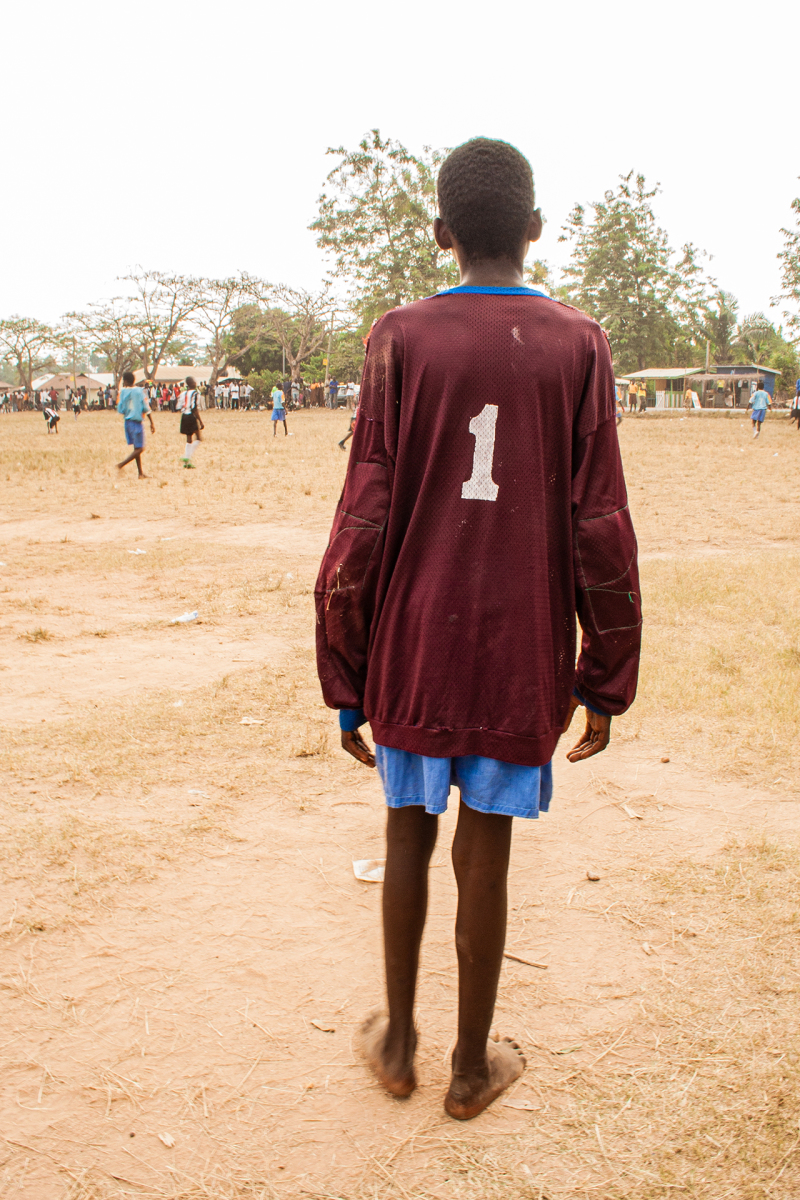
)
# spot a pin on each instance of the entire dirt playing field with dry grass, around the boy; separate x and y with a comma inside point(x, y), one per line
point(184, 949)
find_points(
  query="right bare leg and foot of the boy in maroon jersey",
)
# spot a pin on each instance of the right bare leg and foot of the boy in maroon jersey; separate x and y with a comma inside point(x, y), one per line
point(482, 1070)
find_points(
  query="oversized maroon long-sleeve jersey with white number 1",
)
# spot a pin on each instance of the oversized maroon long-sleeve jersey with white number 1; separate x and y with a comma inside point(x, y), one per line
point(484, 508)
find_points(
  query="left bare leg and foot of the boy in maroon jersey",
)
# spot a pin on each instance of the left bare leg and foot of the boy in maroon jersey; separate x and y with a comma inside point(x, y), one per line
point(389, 1043)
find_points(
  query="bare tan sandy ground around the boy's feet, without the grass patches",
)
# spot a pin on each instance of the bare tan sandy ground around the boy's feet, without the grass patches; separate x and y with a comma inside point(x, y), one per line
point(184, 1019)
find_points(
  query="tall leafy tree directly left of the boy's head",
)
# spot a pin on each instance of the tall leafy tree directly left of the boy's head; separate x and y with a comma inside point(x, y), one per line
point(376, 220)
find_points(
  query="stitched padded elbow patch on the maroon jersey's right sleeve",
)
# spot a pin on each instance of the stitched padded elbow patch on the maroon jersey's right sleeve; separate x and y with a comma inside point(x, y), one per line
point(605, 550)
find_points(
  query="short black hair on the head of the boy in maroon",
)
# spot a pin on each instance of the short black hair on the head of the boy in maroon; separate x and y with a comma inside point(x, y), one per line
point(486, 197)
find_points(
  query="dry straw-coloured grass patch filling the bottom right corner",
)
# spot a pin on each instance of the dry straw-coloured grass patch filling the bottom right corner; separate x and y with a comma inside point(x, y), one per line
point(701, 1099)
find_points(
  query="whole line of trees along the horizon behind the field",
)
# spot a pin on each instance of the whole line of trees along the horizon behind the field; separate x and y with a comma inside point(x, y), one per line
point(659, 307)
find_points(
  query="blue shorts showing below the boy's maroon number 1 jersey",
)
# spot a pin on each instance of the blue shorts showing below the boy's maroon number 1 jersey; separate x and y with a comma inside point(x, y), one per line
point(486, 785)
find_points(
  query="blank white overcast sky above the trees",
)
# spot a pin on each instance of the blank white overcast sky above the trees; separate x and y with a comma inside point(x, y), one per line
point(191, 136)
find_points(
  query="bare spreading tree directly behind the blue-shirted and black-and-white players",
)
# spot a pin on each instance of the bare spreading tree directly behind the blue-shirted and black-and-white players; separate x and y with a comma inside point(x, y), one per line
point(164, 303)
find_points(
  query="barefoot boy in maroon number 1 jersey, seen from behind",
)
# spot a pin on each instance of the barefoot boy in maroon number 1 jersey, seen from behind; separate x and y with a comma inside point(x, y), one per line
point(484, 507)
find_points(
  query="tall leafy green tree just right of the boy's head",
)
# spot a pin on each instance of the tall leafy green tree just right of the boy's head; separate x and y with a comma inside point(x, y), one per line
point(623, 273)
